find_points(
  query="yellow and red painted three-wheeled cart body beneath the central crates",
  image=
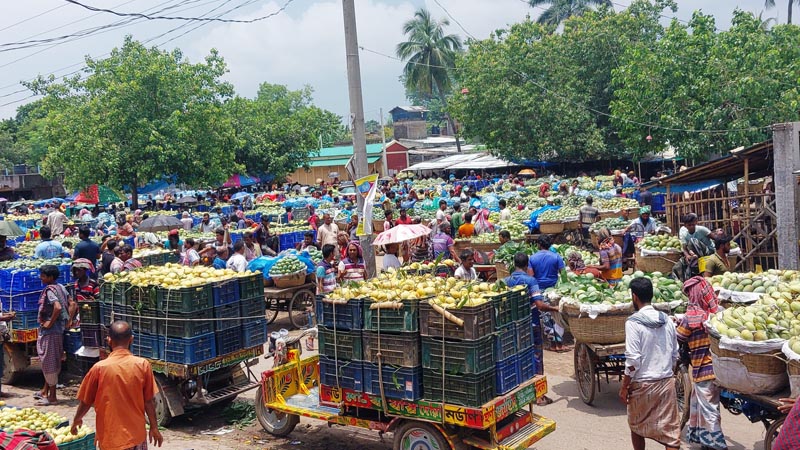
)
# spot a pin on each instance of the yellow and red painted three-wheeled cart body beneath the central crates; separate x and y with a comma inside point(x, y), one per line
point(506, 422)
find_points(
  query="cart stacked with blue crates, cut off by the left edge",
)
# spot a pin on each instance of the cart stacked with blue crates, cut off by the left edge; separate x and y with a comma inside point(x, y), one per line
point(20, 289)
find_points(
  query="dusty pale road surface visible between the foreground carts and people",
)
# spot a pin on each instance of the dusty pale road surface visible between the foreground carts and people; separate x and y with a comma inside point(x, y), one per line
point(599, 427)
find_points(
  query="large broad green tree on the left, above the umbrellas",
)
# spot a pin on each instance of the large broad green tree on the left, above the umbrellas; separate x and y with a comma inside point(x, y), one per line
point(139, 114)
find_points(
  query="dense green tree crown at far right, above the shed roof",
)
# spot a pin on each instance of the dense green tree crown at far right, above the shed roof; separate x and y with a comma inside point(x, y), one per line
point(730, 84)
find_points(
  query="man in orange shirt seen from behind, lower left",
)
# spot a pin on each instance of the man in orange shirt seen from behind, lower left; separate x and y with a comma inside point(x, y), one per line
point(121, 388)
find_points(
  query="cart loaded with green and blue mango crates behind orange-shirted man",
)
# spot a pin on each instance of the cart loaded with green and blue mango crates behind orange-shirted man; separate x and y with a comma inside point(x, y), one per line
point(201, 329)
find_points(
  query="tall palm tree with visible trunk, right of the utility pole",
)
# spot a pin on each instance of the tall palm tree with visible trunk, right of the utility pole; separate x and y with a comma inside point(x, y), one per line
point(430, 57)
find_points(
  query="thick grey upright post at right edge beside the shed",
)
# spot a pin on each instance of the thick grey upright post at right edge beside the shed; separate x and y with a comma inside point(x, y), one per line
point(786, 141)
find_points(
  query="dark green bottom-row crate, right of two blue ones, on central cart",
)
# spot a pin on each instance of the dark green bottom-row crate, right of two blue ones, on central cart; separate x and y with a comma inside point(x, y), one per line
point(465, 390)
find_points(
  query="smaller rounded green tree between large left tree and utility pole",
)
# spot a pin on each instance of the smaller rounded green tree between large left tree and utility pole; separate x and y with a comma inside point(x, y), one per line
point(278, 128)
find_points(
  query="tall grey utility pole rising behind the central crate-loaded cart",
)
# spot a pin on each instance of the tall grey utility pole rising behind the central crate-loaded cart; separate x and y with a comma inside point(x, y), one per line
point(357, 117)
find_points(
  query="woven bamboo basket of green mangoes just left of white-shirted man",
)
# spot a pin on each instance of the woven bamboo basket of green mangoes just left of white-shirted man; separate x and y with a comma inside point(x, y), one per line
point(606, 328)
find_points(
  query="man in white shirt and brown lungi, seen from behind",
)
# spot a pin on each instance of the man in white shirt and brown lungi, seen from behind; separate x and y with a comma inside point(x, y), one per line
point(648, 386)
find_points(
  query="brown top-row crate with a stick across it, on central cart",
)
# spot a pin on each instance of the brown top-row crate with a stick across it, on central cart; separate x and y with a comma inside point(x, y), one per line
point(478, 322)
